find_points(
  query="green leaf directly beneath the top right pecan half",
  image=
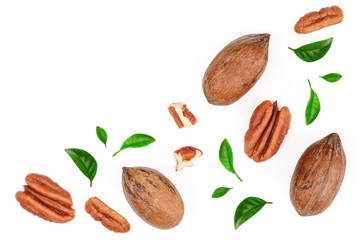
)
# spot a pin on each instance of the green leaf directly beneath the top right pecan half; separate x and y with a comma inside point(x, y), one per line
point(313, 51)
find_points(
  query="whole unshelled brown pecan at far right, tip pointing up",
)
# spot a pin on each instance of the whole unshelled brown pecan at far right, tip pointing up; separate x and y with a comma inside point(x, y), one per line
point(318, 176)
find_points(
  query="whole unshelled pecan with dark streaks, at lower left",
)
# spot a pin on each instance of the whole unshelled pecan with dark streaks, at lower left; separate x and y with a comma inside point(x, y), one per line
point(153, 197)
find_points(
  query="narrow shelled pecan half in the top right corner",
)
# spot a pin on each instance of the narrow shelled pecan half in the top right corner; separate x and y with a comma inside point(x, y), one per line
point(314, 21)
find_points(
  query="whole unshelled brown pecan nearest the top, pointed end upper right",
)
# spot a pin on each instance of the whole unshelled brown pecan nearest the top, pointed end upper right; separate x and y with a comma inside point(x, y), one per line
point(236, 69)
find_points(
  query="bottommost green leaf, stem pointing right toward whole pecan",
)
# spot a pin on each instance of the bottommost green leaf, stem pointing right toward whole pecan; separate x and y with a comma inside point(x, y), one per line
point(248, 208)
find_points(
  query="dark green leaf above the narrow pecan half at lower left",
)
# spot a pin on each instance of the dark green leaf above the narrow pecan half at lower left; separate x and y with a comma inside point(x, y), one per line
point(84, 161)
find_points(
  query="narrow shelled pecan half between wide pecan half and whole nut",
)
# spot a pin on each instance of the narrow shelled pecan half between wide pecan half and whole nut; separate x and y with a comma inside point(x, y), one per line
point(108, 217)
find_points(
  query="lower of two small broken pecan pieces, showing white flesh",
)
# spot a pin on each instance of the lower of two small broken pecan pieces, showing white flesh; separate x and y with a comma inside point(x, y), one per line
point(186, 156)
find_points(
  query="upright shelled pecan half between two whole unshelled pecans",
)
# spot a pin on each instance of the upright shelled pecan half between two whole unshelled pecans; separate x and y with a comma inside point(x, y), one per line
point(267, 129)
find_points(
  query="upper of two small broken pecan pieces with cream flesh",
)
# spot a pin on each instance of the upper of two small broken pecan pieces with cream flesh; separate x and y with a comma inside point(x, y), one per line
point(181, 114)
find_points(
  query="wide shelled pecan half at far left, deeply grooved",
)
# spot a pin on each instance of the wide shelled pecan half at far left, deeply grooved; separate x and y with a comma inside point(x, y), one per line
point(46, 199)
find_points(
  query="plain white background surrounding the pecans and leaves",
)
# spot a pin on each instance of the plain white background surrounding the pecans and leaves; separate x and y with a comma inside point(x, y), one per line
point(68, 66)
